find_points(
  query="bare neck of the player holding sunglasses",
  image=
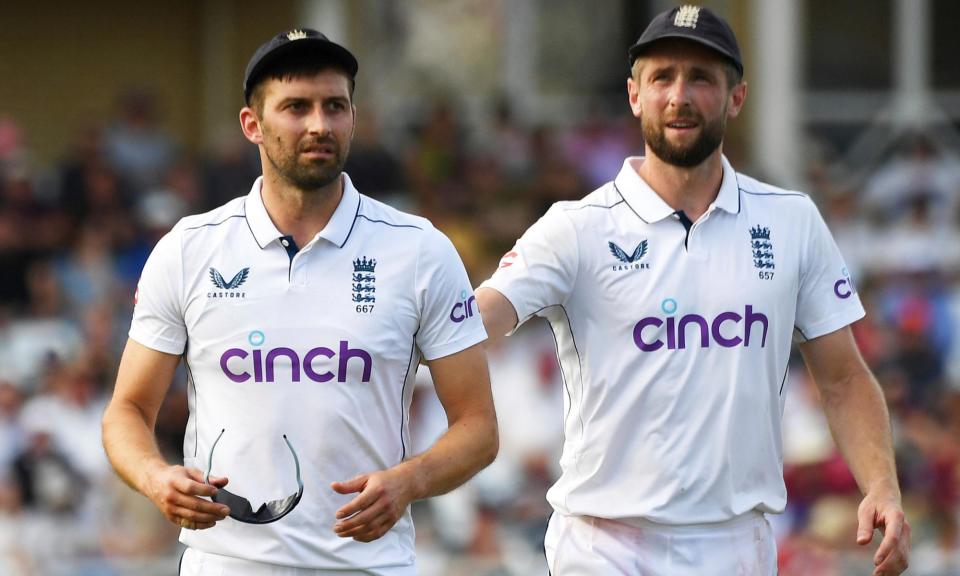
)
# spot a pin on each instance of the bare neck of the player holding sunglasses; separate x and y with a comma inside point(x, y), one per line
point(298, 213)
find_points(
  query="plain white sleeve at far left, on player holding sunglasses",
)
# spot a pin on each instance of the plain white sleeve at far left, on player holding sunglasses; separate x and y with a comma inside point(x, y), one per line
point(158, 310)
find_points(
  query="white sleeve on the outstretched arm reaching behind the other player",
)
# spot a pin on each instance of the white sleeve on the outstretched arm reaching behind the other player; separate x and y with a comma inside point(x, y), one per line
point(541, 268)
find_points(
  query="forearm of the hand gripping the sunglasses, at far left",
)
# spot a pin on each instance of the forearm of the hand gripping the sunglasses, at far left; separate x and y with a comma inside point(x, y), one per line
point(130, 444)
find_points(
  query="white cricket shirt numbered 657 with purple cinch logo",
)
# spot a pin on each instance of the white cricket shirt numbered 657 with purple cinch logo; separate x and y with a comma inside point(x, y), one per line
point(674, 346)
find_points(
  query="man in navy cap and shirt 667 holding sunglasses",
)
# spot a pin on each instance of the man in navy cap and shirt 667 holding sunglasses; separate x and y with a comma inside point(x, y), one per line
point(301, 312)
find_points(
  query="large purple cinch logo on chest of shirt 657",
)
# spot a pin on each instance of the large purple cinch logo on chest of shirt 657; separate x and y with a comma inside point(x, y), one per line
point(725, 329)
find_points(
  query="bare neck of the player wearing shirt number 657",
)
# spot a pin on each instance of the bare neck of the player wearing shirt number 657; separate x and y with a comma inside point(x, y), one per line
point(689, 189)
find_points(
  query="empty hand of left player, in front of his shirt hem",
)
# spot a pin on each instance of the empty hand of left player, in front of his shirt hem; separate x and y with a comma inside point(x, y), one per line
point(382, 500)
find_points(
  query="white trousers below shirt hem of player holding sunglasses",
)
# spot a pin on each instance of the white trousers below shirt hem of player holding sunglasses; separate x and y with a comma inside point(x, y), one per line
point(197, 563)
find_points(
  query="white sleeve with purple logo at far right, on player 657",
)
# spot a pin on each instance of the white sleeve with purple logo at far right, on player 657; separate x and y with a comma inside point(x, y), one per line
point(827, 298)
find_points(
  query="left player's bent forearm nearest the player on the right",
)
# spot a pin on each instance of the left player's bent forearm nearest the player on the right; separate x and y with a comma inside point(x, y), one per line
point(468, 446)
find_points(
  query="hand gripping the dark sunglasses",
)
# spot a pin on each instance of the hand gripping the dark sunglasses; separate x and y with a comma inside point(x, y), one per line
point(176, 491)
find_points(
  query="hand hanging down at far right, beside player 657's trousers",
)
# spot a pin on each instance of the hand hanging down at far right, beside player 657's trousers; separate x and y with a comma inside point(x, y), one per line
point(881, 509)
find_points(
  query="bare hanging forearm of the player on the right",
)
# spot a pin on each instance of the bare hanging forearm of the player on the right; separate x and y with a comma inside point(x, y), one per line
point(860, 425)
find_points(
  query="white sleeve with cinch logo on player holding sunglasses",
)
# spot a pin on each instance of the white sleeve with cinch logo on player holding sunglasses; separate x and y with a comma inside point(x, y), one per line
point(449, 319)
